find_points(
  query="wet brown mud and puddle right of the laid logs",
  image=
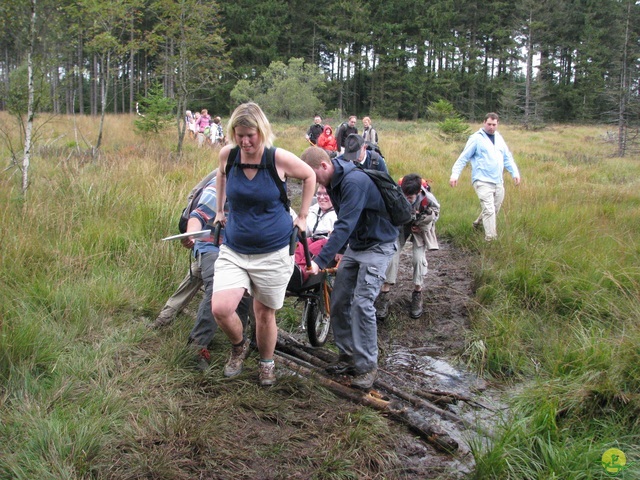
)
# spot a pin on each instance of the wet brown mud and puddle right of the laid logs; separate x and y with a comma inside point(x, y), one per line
point(426, 355)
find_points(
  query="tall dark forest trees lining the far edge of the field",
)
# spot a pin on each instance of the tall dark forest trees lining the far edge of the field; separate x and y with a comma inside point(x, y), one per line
point(532, 61)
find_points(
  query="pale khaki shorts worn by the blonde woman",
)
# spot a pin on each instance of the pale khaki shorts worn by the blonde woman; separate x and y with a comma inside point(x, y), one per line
point(265, 276)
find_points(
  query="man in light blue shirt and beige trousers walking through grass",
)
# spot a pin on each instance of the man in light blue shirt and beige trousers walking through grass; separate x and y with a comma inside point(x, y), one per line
point(489, 157)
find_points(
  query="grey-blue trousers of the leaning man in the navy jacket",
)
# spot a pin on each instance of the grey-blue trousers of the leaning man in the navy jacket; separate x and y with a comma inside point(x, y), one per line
point(353, 316)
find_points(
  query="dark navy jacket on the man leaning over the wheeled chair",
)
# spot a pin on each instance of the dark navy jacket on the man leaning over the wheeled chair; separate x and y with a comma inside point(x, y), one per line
point(362, 219)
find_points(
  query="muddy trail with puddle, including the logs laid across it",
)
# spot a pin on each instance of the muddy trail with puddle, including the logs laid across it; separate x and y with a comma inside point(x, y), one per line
point(423, 383)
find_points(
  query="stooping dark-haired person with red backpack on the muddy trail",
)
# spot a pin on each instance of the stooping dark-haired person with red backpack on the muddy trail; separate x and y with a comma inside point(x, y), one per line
point(422, 233)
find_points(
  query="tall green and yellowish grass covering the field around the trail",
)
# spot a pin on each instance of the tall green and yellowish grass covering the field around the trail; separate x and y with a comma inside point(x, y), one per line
point(87, 392)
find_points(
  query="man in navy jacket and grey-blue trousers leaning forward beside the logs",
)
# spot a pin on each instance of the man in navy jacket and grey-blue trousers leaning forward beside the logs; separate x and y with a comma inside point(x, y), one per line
point(364, 228)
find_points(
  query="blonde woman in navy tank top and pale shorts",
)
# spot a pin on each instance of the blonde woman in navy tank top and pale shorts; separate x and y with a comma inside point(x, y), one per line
point(253, 258)
